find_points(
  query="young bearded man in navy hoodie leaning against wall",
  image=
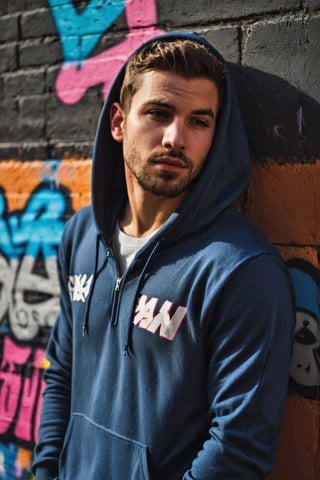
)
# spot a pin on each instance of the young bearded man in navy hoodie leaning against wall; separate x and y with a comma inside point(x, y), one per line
point(170, 357)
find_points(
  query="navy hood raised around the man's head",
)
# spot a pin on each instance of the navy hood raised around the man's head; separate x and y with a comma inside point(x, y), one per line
point(224, 177)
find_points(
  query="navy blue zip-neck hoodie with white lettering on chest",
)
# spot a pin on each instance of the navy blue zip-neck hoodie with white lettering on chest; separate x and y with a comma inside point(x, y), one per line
point(179, 370)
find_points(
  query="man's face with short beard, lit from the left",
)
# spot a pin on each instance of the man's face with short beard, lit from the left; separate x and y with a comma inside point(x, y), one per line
point(167, 132)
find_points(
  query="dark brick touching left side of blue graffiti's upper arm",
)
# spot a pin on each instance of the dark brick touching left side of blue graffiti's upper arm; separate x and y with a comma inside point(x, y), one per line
point(37, 24)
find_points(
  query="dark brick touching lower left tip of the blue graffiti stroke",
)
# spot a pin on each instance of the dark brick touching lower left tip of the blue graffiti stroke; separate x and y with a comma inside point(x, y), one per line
point(35, 53)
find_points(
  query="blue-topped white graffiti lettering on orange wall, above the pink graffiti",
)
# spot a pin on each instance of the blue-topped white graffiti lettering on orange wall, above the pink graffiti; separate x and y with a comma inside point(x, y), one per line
point(28, 246)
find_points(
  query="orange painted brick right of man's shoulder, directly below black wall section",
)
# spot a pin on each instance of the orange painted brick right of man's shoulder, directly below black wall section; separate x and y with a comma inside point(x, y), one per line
point(280, 193)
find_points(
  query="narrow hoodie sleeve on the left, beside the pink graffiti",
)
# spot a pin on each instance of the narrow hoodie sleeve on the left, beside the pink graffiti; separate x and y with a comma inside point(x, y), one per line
point(56, 397)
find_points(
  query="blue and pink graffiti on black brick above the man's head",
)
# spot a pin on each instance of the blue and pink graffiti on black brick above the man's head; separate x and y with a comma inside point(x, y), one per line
point(79, 34)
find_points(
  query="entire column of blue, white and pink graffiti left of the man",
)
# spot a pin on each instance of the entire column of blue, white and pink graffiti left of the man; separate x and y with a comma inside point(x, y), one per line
point(29, 304)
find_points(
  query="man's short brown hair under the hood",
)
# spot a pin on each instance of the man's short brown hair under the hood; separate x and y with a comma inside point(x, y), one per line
point(185, 57)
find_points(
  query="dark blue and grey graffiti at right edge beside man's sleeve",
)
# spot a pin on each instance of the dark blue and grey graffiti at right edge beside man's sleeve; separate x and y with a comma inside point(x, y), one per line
point(305, 365)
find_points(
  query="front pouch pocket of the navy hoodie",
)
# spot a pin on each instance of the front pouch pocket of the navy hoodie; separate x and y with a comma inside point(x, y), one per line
point(92, 452)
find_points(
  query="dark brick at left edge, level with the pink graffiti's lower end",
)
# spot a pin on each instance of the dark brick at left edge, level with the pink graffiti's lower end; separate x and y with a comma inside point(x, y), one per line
point(24, 83)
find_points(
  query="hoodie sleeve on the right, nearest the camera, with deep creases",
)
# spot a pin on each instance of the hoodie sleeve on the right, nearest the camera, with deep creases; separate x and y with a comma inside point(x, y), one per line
point(250, 351)
